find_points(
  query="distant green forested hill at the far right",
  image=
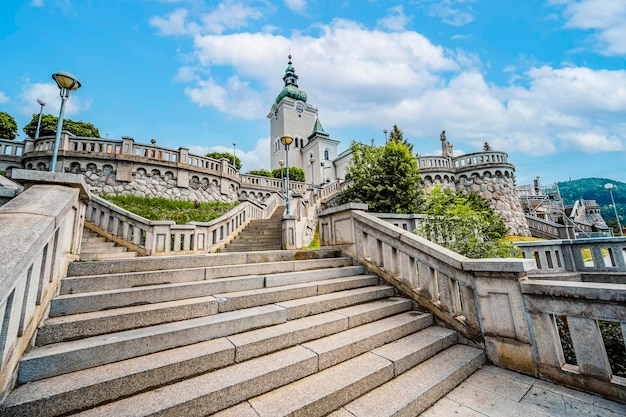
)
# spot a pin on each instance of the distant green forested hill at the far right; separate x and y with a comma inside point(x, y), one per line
point(593, 189)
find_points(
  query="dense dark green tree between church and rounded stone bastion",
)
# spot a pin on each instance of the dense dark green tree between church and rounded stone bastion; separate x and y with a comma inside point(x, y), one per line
point(385, 178)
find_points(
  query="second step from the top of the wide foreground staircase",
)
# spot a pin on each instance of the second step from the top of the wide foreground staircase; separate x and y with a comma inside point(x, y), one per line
point(90, 283)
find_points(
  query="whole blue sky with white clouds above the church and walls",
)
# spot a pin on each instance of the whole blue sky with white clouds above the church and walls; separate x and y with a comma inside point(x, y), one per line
point(543, 80)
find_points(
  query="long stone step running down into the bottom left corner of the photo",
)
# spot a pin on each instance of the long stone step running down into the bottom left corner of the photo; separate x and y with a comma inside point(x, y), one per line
point(88, 388)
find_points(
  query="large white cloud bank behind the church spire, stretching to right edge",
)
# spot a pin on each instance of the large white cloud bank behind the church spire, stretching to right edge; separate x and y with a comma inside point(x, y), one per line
point(361, 78)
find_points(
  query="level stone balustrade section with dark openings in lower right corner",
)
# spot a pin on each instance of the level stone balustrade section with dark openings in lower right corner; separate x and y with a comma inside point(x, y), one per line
point(580, 307)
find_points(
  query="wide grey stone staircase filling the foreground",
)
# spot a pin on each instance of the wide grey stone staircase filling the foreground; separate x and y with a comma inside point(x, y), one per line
point(298, 333)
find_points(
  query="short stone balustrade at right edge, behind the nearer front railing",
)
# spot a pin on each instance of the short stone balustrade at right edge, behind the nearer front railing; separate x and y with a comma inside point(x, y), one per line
point(588, 256)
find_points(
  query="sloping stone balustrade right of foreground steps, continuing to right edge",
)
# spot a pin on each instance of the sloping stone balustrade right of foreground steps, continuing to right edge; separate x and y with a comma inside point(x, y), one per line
point(492, 302)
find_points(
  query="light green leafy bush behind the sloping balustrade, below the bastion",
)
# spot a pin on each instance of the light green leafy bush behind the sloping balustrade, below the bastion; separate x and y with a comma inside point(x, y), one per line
point(465, 223)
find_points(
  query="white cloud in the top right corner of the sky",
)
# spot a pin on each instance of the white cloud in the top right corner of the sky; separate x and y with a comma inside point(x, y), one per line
point(605, 17)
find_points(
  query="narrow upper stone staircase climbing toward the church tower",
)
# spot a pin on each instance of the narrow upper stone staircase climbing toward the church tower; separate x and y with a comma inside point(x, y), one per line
point(259, 235)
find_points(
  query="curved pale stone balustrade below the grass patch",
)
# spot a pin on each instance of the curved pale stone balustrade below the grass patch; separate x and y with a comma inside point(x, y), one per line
point(150, 237)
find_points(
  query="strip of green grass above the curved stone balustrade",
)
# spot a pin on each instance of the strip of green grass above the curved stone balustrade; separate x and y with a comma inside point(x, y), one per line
point(179, 211)
